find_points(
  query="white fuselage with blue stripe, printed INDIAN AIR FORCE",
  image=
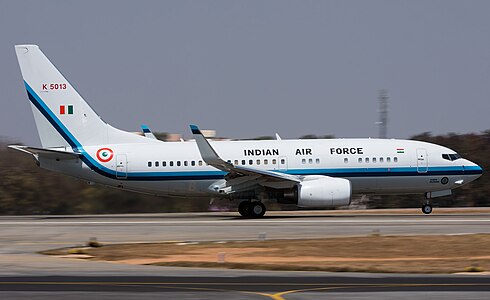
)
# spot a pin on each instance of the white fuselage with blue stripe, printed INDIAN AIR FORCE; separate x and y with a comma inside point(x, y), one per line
point(374, 166)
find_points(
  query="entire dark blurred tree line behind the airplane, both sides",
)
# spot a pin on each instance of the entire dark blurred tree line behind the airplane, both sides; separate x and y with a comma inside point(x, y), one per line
point(27, 189)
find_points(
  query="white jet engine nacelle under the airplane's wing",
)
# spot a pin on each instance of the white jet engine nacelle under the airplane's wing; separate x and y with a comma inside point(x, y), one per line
point(324, 191)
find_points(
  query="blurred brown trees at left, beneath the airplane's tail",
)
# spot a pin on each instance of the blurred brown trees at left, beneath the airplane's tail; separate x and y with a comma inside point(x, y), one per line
point(28, 189)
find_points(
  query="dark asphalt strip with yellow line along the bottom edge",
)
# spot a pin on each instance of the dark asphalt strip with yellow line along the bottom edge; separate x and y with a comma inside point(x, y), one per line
point(246, 287)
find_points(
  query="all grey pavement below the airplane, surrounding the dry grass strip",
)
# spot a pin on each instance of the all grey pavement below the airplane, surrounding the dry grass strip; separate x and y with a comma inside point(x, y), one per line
point(25, 274)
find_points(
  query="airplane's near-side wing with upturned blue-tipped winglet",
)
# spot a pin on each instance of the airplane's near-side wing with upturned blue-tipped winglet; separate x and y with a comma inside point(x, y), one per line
point(210, 156)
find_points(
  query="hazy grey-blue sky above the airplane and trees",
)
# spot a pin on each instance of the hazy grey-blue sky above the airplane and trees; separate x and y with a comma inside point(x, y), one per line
point(250, 68)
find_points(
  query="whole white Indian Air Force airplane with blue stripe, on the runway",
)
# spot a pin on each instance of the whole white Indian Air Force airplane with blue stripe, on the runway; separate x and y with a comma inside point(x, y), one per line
point(319, 173)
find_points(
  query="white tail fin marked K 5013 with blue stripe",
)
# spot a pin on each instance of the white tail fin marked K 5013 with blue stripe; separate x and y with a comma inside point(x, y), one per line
point(62, 116)
